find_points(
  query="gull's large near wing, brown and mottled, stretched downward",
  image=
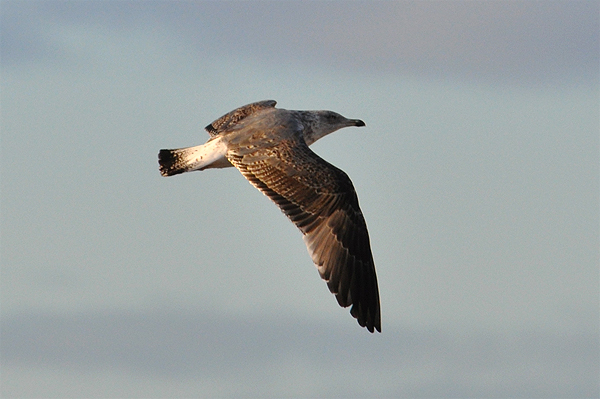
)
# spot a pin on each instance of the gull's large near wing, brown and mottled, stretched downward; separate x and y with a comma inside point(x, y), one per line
point(321, 201)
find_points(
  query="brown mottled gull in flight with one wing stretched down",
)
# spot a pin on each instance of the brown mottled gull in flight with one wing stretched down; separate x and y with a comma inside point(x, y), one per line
point(270, 147)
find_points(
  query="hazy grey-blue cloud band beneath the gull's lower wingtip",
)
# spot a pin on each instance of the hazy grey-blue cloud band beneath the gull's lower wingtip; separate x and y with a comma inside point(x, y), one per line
point(266, 356)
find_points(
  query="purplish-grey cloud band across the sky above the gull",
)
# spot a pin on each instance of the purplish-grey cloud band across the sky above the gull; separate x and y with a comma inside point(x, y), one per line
point(506, 41)
